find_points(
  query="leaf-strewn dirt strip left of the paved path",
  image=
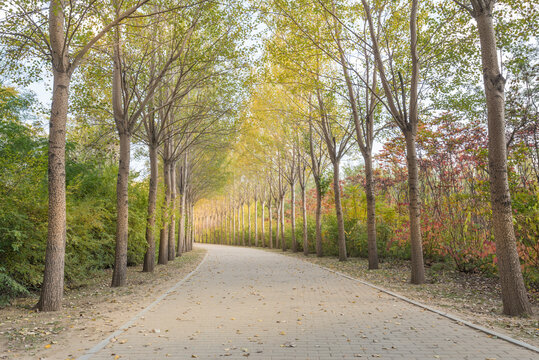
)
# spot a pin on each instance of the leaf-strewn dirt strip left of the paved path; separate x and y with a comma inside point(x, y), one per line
point(89, 314)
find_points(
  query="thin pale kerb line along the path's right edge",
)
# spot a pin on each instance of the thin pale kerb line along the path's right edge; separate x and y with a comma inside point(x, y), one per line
point(426, 307)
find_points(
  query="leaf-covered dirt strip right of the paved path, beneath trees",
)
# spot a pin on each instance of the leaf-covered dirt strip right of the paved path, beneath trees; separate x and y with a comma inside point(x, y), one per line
point(471, 297)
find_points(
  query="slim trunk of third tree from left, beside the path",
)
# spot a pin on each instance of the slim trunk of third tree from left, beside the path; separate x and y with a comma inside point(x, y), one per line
point(149, 256)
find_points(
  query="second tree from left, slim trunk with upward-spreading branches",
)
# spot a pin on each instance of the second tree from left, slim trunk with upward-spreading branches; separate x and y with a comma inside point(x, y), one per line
point(132, 92)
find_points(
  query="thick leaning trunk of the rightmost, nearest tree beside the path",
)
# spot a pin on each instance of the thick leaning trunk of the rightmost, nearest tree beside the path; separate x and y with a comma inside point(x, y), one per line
point(514, 295)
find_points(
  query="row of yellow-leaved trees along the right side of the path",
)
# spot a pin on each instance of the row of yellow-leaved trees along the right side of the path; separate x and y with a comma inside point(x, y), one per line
point(341, 76)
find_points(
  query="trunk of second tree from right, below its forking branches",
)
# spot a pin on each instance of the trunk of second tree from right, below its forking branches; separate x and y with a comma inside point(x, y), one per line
point(418, 270)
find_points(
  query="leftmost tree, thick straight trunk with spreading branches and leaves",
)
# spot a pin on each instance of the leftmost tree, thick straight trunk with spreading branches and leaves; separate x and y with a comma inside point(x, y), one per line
point(68, 26)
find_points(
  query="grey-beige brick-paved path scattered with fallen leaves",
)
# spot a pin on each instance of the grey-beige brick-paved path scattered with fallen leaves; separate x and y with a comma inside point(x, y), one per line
point(251, 303)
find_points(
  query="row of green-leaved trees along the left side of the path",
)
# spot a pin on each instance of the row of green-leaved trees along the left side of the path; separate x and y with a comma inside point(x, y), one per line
point(157, 72)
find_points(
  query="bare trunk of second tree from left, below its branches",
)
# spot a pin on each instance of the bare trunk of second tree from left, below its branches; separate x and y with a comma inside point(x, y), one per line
point(119, 275)
